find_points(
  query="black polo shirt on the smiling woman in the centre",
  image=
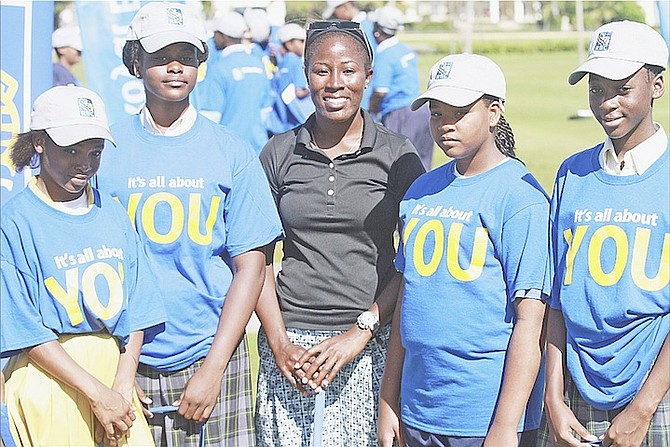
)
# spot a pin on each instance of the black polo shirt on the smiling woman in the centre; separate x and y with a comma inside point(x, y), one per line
point(339, 217)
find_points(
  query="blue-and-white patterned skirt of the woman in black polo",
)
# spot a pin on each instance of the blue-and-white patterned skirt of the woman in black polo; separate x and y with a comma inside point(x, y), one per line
point(284, 417)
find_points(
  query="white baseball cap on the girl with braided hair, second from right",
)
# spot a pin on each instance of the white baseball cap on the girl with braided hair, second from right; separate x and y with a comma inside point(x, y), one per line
point(461, 79)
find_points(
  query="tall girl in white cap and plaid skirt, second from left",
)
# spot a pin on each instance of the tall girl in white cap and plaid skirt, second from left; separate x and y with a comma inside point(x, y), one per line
point(198, 198)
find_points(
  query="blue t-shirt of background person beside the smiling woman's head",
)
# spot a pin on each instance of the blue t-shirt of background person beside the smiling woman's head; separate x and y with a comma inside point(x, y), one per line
point(289, 111)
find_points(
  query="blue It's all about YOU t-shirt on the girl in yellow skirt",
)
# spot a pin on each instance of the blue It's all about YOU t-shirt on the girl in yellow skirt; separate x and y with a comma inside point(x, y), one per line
point(72, 274)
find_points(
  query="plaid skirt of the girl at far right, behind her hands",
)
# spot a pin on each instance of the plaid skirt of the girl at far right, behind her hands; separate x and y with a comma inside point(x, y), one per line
point(598, 421)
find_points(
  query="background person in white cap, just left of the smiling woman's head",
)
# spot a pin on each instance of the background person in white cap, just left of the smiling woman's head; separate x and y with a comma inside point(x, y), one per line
point(292, 104)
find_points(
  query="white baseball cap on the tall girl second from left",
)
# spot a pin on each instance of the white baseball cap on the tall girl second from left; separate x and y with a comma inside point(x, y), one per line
point(159, 24)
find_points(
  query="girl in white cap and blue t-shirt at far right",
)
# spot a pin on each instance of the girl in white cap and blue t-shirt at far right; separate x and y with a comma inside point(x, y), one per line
point(608, 348)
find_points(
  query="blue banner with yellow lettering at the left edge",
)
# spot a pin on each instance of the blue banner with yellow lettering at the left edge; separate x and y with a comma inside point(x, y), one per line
point(25, 72)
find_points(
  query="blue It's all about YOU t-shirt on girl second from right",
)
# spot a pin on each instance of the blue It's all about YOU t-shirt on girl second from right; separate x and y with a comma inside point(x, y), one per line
point(468, 245)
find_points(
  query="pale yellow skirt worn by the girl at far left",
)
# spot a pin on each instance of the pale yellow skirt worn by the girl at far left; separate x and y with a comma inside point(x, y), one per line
point(44, 411)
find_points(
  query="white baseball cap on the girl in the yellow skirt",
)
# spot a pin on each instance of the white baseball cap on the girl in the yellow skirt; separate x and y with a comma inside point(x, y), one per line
point(70, 114)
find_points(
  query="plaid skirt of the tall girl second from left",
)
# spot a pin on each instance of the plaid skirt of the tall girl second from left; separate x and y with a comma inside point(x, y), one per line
point(231, 421)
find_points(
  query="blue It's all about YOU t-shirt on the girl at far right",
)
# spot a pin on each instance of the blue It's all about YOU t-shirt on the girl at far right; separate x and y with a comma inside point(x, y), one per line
point(611, 250)
